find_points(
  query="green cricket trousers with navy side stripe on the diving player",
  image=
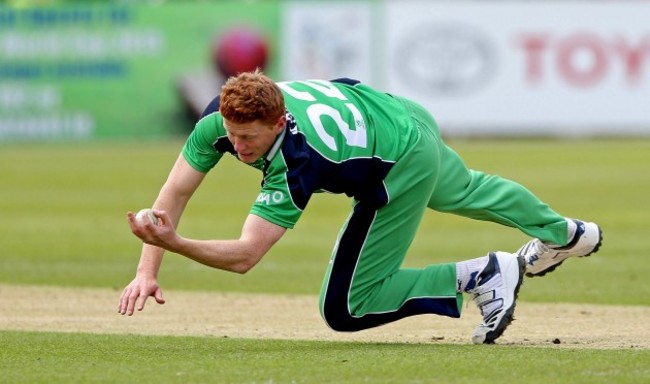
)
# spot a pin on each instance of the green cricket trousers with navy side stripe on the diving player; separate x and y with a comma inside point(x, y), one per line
point(365, 285)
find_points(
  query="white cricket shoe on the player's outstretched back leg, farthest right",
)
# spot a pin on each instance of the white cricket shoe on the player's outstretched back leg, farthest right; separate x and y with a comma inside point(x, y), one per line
point(543, 258)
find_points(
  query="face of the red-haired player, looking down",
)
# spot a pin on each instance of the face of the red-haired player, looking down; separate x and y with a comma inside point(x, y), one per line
point(252, 140)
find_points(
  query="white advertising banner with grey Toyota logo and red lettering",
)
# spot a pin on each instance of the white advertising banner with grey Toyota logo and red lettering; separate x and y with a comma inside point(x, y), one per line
point(522, 68)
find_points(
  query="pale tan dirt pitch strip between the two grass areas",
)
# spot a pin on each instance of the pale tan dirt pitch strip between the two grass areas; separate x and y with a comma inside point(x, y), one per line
point(264, 316)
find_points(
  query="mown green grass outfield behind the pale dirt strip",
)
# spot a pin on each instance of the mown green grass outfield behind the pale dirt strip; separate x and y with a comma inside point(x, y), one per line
point(63, 218)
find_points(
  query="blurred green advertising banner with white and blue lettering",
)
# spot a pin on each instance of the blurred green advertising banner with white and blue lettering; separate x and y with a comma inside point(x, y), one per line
point(87, 71)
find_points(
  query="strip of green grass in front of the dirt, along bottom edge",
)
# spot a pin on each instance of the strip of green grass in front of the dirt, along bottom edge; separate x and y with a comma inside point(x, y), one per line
point(84, 358)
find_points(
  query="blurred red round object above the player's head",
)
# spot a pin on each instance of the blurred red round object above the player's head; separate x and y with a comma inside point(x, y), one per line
point(240, 50)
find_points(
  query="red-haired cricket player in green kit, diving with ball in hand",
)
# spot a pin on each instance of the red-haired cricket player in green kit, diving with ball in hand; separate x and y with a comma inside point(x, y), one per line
point(386, 153)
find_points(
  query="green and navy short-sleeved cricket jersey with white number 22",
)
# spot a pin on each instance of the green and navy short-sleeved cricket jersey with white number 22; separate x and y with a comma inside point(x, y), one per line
point(340, 137)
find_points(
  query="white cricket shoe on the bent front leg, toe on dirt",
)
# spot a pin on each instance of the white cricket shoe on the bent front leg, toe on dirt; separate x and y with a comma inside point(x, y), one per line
point(495, 294)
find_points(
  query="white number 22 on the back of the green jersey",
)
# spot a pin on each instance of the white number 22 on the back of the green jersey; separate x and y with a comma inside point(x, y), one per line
point(354, 137)
